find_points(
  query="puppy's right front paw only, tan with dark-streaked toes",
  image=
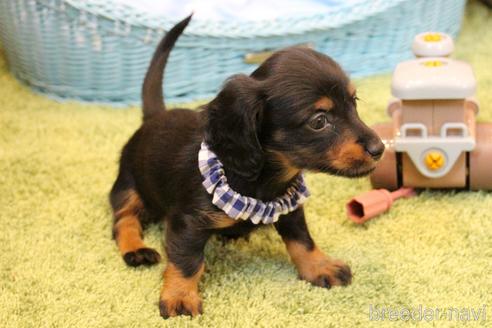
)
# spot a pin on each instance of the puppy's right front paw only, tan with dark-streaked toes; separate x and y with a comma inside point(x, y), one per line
point(329, 273)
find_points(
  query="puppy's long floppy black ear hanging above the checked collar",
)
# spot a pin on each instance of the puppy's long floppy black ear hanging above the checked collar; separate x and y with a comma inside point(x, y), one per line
point(233, 126)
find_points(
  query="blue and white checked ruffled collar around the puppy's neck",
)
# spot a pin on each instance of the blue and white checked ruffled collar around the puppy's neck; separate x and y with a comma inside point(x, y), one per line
point(238, 206)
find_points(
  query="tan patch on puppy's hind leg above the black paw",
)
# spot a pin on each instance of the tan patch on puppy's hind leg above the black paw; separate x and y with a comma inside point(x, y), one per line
point(128, 234)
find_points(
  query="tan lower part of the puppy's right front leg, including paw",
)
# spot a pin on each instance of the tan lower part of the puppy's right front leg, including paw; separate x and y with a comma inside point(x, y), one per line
point(315, 267)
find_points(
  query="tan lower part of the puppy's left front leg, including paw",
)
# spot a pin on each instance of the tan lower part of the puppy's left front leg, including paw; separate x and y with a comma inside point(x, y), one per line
point(179, 294)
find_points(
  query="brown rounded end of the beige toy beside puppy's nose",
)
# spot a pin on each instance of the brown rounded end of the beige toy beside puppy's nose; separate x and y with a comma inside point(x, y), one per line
point(385, 174)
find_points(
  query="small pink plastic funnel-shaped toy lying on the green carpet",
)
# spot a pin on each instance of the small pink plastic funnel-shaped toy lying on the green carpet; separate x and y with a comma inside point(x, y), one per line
point(372, 203)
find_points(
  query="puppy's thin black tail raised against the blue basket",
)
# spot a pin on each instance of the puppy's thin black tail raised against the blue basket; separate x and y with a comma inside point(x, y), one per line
point(152, 98)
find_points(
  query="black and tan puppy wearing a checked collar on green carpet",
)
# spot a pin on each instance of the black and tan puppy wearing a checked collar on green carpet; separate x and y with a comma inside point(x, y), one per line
point(296, 112)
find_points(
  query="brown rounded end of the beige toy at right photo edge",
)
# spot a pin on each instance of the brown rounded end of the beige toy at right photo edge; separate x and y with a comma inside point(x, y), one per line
point(480, 159)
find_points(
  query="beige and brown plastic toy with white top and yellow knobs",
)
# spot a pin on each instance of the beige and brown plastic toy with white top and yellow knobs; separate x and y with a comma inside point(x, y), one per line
point(433, 140)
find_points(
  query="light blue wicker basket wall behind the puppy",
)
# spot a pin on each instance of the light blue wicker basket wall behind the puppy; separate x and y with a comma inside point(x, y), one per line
point(99, 51)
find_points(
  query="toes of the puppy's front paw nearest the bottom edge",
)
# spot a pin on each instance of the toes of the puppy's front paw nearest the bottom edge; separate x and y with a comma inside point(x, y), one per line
point(180, 304)
